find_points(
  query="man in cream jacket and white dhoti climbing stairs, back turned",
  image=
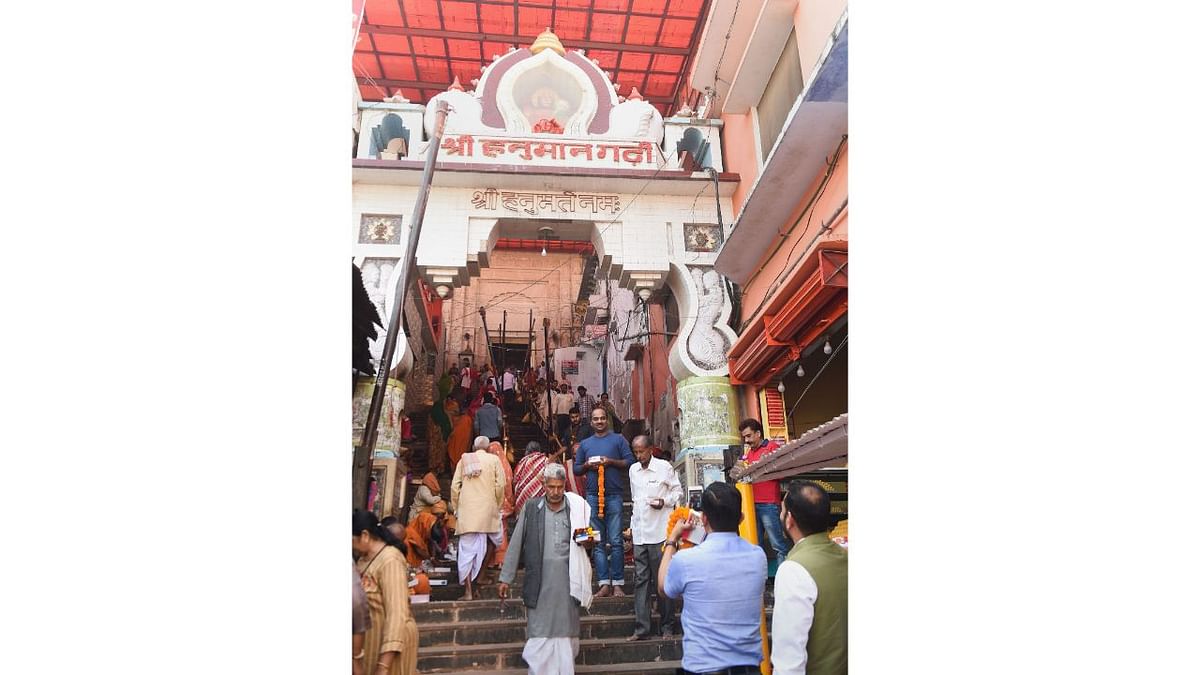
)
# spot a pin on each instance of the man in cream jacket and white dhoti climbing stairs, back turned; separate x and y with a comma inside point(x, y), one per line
point(477, 493)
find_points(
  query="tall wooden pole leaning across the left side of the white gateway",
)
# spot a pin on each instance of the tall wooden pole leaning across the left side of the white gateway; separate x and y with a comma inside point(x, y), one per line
point(363, 453)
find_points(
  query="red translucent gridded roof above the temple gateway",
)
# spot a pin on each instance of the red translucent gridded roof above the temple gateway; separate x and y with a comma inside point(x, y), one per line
point(421, 46)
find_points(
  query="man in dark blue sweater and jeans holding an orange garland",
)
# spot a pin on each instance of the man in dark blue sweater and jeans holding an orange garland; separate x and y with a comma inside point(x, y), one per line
point(614, 452)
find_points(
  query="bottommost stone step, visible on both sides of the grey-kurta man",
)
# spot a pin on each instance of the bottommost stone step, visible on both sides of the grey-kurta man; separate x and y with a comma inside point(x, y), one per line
point(604, 653)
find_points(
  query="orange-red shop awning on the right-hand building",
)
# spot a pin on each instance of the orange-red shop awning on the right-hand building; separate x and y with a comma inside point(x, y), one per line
point(808, 303)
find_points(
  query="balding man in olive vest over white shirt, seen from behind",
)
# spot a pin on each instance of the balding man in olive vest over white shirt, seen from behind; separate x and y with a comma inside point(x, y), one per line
point(809, 626)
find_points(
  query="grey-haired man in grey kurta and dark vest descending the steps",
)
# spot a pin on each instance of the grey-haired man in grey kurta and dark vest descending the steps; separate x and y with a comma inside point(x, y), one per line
point(543, 539)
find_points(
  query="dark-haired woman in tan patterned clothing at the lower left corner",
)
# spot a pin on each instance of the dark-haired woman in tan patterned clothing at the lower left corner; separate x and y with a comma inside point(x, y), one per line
point(391, 646)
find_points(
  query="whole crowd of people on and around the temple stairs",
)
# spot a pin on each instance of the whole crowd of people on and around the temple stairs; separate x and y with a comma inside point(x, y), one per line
point(557, 515)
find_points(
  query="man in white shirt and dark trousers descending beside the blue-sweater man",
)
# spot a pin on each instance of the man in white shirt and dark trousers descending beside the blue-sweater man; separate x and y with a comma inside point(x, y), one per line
point(656, 491)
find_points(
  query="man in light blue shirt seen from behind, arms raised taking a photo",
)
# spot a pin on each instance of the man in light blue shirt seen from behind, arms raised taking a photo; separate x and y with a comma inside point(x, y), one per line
point(722, 582)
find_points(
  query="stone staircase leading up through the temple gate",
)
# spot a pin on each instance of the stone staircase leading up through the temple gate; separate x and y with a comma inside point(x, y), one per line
point(487, 636)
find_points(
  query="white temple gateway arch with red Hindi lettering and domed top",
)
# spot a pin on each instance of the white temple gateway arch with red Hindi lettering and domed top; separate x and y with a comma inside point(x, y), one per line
point(545, 140)
